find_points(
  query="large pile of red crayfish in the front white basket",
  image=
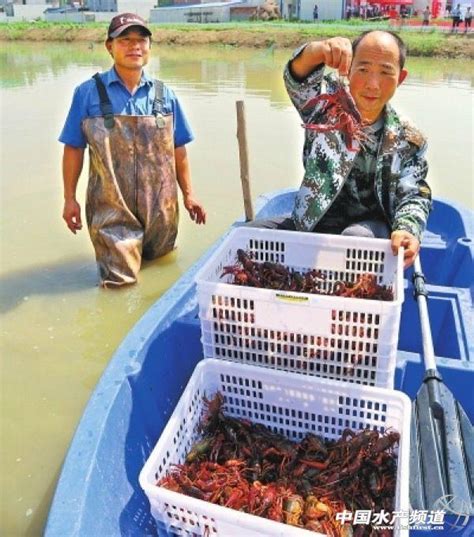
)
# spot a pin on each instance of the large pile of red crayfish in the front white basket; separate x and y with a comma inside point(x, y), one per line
point(247, 467)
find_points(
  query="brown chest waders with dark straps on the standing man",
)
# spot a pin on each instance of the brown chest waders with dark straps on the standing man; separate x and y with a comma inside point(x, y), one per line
point(132, 204)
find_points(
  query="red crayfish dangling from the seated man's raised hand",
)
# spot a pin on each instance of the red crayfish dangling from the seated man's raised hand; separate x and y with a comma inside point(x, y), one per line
point(340, 113)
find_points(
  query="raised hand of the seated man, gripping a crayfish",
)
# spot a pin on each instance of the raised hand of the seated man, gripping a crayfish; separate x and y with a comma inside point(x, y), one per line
point(335, 52)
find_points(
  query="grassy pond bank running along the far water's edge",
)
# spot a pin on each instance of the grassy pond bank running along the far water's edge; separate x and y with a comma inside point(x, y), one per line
point(258, 35)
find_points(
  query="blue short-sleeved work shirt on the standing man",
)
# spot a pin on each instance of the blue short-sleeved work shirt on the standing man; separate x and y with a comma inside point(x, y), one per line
point(86, 103)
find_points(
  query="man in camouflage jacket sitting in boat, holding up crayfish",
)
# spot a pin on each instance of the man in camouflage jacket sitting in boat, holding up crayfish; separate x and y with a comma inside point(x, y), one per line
point(379, 189)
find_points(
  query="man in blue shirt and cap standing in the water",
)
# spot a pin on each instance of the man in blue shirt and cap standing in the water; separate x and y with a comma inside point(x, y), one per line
point(137, 134)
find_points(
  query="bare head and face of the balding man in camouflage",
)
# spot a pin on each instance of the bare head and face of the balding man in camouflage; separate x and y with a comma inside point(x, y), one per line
point(375, 74)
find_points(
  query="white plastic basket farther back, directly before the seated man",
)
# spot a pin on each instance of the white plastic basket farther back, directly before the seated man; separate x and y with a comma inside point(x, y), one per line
point(334, 337)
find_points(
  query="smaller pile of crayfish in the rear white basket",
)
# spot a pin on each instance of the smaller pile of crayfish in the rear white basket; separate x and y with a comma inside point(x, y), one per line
point(270, 275)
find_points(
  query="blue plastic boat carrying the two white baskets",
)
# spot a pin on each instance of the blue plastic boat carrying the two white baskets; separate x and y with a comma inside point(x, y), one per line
point(98, 493)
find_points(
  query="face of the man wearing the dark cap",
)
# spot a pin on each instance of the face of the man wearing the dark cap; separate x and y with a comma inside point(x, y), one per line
point(130, 50)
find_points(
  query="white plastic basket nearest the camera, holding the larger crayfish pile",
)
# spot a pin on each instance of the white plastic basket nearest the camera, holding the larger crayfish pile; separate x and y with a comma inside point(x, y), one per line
point(289, 404)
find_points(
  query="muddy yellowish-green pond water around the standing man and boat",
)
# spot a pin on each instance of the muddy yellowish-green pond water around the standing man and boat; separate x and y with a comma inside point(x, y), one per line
point(58, 329)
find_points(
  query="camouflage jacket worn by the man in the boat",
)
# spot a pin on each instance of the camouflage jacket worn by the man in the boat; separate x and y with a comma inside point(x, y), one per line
point(401, 166)
